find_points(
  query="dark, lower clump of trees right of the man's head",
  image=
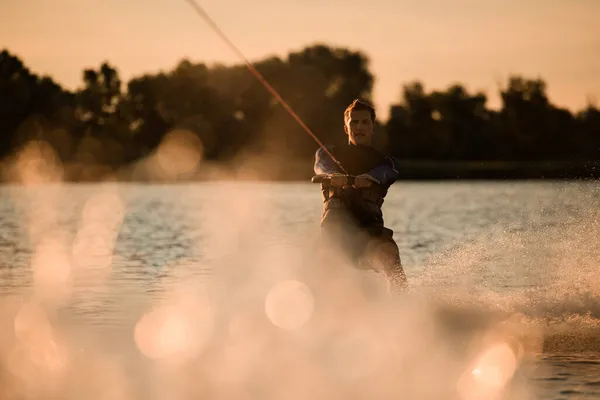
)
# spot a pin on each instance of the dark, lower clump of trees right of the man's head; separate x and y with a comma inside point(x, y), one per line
point(454, 125)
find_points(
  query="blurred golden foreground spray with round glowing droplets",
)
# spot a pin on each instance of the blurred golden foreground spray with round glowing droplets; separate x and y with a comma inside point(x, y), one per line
point(270, 321)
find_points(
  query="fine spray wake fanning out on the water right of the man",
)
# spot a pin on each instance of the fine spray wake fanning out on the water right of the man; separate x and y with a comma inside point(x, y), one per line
point(549, 288)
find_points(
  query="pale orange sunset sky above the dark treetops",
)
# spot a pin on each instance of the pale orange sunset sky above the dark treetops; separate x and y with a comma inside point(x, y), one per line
point(474, 42)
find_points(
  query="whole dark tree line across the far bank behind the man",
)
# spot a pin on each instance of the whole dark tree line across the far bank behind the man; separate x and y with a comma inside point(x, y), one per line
point(115, 124)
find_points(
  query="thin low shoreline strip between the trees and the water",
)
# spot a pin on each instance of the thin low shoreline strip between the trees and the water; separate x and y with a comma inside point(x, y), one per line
point(260, 170)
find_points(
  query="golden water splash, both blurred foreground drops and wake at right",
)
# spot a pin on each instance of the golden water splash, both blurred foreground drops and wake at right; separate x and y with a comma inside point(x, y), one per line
point(273, 322)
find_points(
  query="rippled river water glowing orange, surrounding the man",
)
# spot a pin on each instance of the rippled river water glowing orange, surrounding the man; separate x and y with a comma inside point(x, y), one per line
point(213, 290)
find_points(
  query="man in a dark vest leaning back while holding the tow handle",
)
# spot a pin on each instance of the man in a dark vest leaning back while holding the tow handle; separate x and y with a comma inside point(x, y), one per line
point(352, 218)
